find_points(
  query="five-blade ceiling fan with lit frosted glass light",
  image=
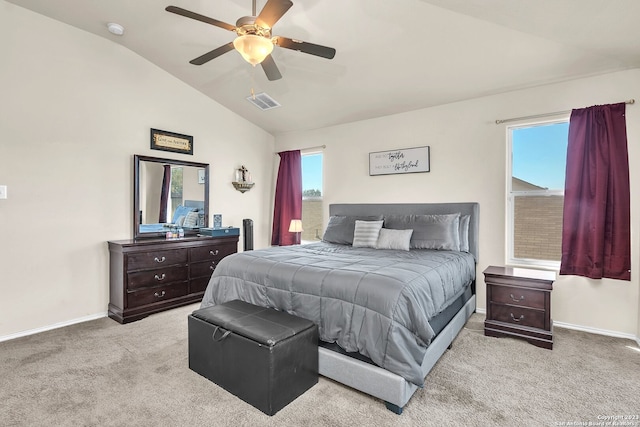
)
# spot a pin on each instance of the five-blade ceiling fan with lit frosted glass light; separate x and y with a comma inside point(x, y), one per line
point(255, 41)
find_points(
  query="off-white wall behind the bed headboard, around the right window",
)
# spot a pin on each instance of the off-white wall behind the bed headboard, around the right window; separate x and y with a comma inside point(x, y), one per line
point(468, 163)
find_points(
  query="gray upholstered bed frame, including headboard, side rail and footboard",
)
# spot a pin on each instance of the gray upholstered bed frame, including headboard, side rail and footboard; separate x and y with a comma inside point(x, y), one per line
point(394, 390)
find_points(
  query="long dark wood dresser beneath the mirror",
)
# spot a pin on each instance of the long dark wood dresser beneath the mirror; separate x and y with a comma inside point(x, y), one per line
point(151, 275)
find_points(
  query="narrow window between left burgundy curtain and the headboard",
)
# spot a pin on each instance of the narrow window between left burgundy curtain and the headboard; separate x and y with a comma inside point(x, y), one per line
point(312, 212)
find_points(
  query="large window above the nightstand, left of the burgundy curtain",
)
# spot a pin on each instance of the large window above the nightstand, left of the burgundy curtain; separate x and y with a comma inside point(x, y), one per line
point(536, 192)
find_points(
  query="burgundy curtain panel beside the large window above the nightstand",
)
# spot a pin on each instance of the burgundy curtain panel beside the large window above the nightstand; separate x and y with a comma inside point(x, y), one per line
point(596, 238)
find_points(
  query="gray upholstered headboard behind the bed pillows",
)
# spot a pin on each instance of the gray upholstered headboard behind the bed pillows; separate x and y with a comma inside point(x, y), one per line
point(466, 208)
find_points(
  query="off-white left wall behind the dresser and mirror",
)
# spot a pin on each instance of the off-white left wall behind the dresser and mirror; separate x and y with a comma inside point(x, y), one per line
point(74, 110)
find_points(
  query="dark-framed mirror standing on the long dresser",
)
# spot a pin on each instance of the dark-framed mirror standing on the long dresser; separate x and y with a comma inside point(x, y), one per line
point(169, 193)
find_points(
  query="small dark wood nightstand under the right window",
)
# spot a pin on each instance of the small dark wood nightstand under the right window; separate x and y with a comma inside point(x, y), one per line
point(519, 304)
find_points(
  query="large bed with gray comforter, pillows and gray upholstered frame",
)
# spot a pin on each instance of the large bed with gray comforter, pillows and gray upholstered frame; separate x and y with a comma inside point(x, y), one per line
point(385, 315)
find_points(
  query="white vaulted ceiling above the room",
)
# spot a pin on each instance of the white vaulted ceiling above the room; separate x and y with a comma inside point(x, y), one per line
point(392, 56)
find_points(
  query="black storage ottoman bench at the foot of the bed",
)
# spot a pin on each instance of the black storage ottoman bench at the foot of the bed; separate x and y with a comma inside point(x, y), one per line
point(264, 356)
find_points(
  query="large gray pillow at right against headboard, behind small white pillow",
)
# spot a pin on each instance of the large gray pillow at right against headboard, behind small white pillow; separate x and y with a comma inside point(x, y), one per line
point(429, 231)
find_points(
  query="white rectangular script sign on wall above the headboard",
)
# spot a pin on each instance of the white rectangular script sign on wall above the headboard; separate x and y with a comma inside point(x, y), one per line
point(406, 160)
